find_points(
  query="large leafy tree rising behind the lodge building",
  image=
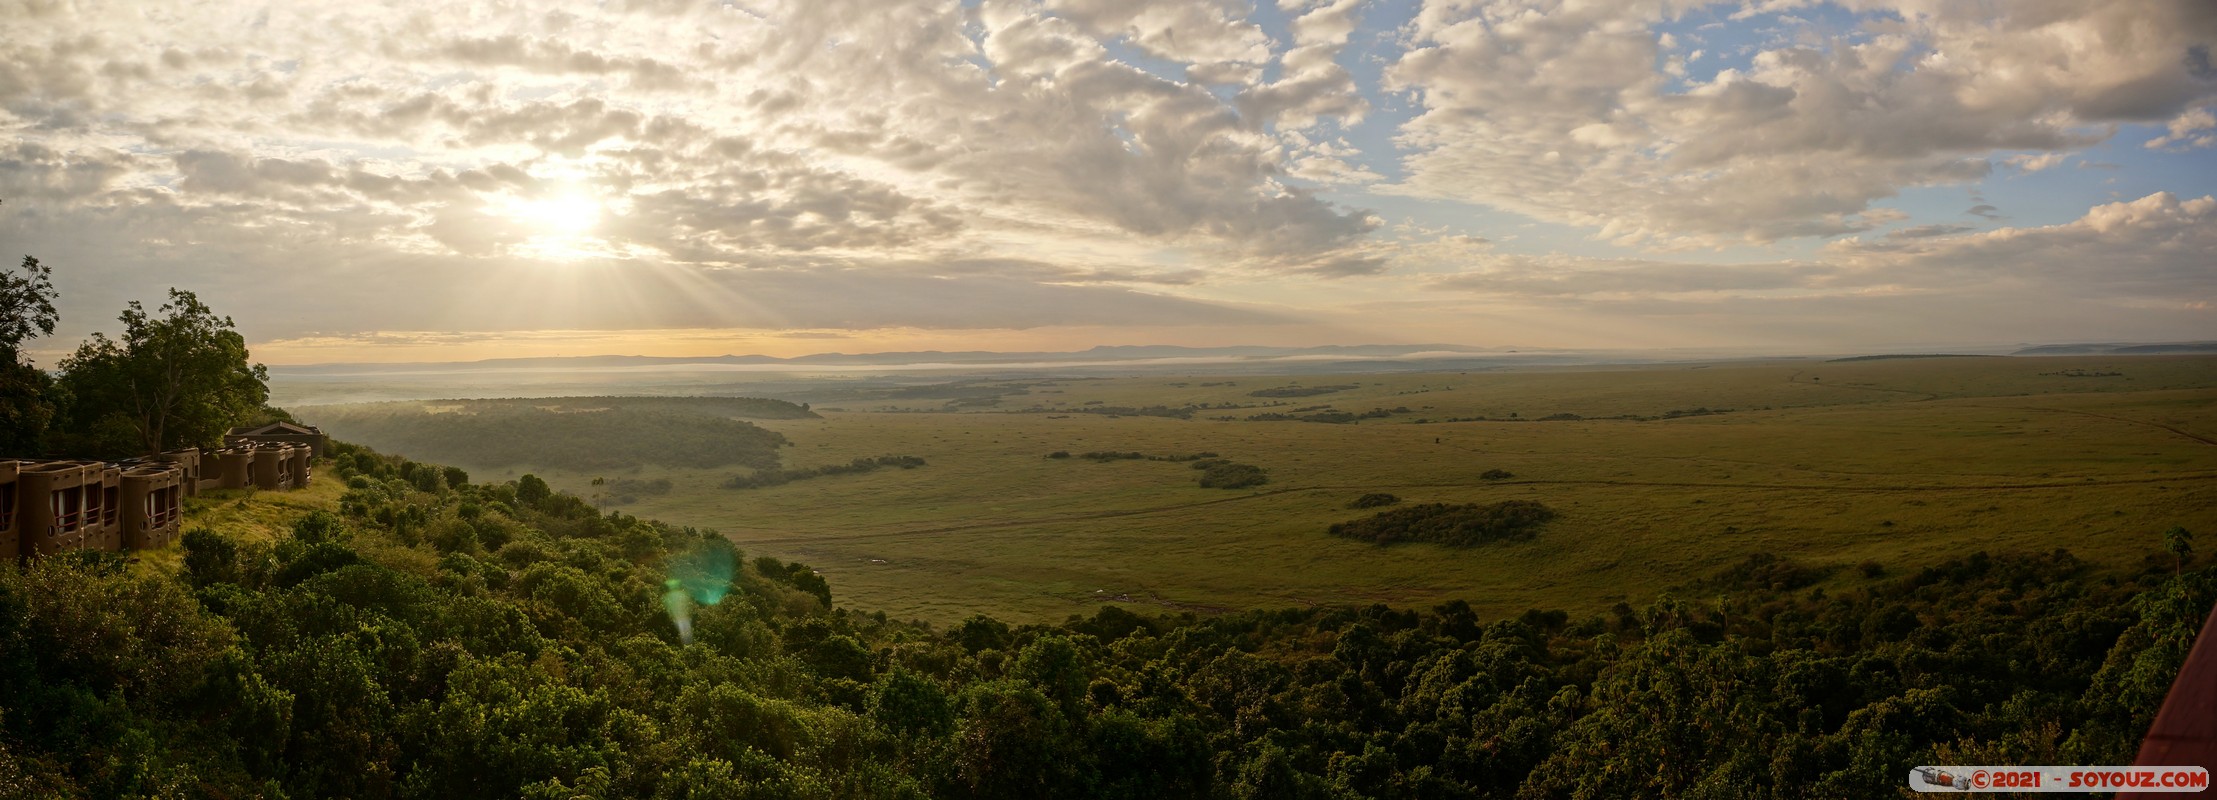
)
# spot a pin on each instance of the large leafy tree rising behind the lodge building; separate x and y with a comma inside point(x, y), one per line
point(174, 380)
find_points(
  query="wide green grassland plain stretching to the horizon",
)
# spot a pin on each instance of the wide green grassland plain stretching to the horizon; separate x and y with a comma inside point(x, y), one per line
point(1835, 464)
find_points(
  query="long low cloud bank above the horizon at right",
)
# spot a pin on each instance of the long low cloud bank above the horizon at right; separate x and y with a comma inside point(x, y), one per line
point(2127, 271)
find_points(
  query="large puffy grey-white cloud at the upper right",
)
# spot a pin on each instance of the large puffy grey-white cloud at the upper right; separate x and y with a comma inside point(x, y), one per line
point(1557, 110)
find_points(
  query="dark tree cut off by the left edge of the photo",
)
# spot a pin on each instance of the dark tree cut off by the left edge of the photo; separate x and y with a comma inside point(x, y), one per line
point(25, 391)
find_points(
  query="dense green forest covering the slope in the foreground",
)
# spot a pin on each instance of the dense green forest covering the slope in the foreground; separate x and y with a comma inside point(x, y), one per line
point(449, 639)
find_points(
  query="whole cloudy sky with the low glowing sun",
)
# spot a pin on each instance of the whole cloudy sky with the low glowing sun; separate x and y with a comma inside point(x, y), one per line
point(438, 181)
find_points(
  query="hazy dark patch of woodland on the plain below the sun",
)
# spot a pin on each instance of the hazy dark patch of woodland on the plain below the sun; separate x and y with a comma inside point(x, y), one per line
point(515, 435)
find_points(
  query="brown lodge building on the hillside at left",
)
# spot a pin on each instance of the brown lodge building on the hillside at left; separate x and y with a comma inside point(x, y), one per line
point(57, 506)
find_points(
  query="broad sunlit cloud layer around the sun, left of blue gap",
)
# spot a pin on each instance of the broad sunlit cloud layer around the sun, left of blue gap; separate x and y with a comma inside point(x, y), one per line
point(267, 152)
